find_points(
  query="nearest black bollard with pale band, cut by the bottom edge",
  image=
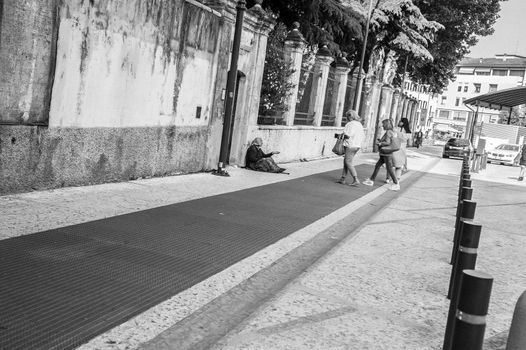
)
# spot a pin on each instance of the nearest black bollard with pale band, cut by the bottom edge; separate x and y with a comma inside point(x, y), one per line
point(473, 302)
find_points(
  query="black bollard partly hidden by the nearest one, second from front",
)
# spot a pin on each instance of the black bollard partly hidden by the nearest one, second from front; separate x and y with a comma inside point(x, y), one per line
point(466, 255)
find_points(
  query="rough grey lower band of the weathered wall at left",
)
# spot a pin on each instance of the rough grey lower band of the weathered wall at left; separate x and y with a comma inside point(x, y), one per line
point(38, 158)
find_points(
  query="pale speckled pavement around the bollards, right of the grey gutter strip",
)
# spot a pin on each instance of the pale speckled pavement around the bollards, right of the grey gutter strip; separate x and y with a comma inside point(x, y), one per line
point(384, 287)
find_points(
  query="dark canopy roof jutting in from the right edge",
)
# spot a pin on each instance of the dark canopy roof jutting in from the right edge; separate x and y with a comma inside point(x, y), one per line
point(501, 99)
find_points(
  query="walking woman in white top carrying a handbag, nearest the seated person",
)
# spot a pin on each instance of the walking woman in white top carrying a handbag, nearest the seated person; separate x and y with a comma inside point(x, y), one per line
point(354, 136)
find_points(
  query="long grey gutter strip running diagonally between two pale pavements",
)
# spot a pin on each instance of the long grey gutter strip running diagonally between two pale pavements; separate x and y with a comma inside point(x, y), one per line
point(206, 326)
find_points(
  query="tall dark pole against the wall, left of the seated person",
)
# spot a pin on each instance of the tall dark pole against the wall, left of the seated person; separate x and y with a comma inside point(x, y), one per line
point(230, 90)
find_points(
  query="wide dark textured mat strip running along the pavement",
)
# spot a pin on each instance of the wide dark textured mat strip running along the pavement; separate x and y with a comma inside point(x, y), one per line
point(62, 287)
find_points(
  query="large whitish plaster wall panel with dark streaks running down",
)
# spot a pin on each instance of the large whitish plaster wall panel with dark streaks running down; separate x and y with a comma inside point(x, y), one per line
point(132, 63)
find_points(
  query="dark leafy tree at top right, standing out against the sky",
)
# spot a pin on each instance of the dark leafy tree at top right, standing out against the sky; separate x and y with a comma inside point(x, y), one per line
point(463, 21)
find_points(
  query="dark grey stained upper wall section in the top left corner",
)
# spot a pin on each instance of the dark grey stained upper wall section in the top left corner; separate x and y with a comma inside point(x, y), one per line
point(27, 31)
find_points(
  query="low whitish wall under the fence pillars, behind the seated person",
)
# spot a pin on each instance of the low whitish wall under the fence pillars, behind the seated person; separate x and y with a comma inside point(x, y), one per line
point(296, 142)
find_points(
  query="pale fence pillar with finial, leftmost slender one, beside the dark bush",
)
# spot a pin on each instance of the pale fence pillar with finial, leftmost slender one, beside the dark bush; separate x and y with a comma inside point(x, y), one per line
point(293, 54)
